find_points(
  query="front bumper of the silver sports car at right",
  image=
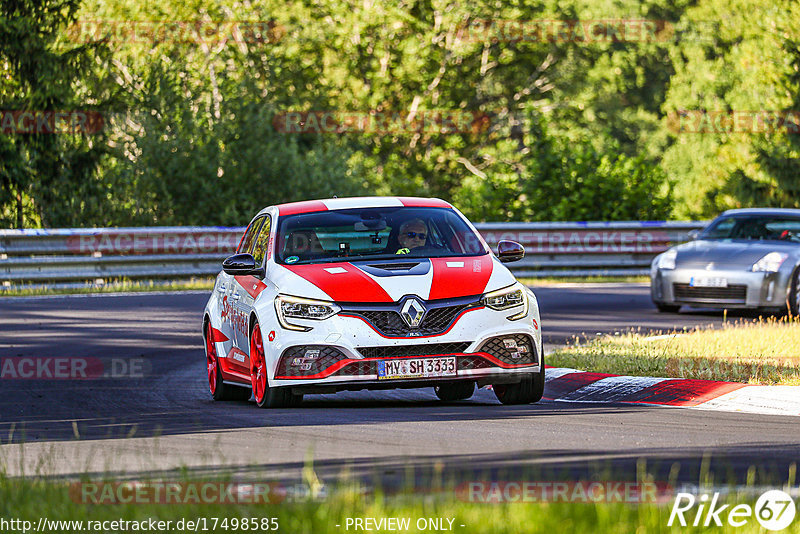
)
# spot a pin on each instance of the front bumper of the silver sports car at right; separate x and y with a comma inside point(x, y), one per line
point(744, 289)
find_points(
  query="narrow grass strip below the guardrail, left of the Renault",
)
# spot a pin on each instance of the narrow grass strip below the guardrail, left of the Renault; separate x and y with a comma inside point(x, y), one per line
point(122, 286)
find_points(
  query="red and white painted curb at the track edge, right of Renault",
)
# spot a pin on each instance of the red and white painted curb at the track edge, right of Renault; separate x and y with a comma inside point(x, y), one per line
point(573, 385)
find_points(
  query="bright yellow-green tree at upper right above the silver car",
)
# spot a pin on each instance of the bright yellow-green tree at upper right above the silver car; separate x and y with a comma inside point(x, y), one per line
point(749, 64)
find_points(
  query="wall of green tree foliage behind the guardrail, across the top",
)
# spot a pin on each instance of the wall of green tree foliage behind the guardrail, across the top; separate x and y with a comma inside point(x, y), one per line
point(566, 129)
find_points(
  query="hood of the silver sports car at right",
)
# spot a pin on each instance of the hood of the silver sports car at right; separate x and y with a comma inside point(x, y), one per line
point(725, 254)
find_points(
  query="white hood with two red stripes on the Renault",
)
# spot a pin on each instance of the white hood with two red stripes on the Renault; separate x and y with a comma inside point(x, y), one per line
point(389, 280)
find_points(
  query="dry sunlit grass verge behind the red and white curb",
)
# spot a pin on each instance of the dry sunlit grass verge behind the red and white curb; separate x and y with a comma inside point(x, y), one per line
point(754, 352)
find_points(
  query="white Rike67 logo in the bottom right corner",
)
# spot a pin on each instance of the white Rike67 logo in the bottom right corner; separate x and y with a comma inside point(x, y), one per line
point(774, 510)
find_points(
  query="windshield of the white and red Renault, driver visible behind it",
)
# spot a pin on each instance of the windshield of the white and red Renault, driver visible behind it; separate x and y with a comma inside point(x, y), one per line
point(371, 233)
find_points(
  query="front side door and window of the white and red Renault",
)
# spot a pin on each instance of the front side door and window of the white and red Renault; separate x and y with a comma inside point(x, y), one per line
point(247, 288)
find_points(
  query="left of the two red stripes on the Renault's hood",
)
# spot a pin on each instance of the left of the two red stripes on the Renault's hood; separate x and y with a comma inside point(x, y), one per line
point(349, 286)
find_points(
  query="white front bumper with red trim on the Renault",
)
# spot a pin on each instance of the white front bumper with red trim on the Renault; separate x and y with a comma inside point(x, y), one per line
point(346, 351)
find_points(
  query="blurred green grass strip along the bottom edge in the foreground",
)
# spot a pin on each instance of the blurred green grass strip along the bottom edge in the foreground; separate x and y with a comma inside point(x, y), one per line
point(33, 499)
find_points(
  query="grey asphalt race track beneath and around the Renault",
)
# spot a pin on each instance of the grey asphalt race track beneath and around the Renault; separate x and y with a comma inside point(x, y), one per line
point(162, 422)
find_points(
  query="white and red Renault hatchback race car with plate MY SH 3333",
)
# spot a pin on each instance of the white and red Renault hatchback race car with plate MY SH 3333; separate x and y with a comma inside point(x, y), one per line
point(370, 293)
